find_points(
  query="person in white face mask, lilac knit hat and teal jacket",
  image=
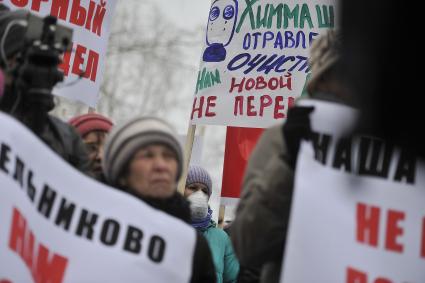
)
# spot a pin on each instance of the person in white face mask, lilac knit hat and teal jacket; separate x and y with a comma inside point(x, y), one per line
point(198, 190)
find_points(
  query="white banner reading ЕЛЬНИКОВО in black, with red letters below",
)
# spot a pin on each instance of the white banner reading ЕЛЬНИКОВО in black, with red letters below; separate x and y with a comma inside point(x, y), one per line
point(57, 225)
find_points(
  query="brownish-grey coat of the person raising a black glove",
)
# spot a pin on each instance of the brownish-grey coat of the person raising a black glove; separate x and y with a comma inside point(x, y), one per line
point(264, 206)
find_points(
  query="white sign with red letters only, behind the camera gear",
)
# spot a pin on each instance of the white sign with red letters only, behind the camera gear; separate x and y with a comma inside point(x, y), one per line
point(90, 21)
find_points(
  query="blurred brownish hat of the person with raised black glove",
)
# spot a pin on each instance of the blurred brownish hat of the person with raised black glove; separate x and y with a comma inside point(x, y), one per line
point(324, 53)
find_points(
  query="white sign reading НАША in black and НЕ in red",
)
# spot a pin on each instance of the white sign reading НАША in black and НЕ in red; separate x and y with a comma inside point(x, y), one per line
point(358, 213)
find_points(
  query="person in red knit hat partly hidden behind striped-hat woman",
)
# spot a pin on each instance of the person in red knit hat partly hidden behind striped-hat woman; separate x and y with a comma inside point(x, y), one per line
point(93, 129)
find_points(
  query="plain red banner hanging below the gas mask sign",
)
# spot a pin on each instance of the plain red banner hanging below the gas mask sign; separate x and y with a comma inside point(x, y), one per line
point(239, 144)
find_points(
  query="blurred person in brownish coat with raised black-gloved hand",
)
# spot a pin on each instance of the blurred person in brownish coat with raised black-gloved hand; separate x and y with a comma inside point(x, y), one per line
point(260, 226)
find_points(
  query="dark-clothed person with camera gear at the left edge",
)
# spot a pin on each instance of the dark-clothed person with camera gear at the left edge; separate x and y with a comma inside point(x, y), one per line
point(30, 74)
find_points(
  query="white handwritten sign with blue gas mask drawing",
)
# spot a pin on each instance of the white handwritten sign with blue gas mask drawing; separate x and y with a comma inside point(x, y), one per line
point(254, 63)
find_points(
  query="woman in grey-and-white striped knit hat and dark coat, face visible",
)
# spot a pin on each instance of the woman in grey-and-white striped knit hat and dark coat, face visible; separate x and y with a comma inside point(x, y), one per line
point(144, 158)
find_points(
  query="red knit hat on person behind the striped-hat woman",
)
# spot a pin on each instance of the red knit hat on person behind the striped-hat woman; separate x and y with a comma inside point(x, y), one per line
point(91, 122)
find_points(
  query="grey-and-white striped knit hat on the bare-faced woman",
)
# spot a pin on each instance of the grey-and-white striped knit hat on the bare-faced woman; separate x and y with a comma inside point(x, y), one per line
point(125, 140)
